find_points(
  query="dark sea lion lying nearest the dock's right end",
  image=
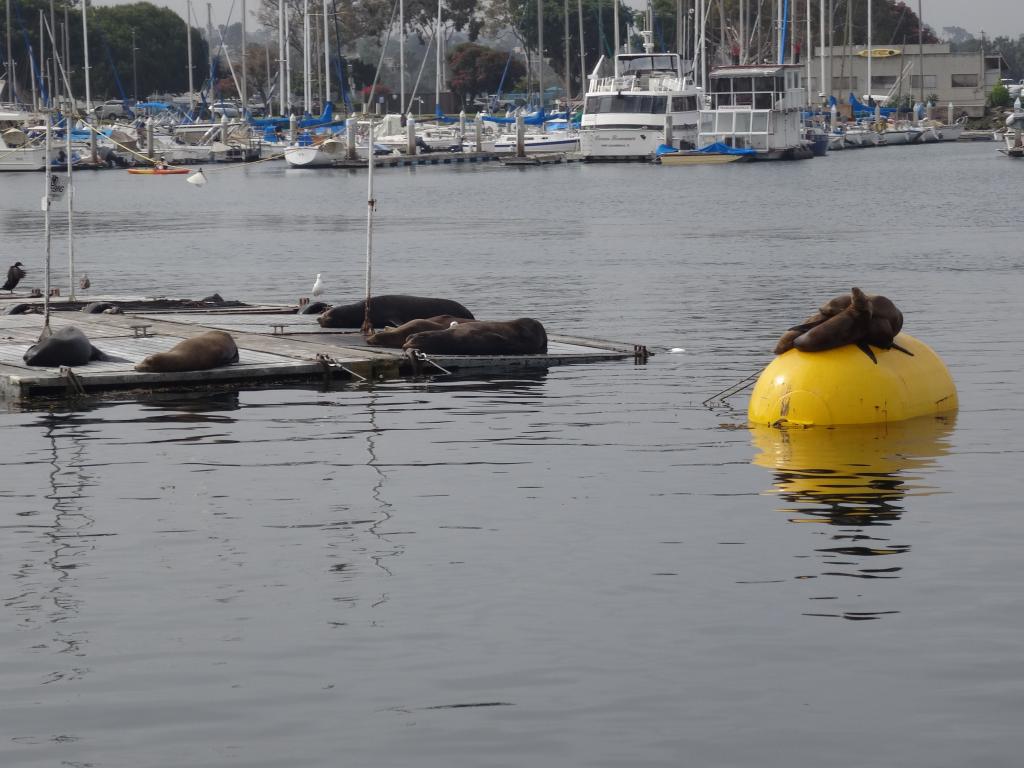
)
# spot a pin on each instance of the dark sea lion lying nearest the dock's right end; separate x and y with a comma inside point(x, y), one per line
point(523, 336)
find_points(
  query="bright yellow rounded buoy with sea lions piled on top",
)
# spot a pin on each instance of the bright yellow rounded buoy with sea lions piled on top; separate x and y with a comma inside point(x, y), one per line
point(843, 387)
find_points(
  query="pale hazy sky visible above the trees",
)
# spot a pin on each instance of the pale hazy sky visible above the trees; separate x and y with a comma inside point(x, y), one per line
point(994, 17)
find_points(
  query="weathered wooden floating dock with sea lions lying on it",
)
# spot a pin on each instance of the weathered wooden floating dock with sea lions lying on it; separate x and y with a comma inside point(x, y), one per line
point(276, 347)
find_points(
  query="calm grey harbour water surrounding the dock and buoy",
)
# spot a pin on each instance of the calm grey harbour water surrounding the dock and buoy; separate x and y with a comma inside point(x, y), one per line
point(583, 569)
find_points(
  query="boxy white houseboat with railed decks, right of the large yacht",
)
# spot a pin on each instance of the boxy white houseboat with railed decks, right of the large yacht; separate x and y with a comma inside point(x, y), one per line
point(758, 109)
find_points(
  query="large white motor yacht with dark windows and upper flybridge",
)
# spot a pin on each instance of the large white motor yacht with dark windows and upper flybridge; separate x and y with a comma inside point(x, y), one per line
point(627, 103)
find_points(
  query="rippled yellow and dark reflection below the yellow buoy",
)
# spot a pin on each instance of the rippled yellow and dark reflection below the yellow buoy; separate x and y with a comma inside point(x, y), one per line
point(856, 480)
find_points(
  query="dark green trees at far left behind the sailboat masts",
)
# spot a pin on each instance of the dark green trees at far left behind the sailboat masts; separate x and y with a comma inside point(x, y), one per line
point(161, 53)
